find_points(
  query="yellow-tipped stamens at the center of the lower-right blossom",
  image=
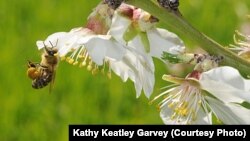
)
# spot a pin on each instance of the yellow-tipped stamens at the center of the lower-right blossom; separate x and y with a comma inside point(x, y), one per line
point(184, 102)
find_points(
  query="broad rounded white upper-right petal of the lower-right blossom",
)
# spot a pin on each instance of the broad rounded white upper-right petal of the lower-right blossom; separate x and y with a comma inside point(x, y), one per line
point(227, 84)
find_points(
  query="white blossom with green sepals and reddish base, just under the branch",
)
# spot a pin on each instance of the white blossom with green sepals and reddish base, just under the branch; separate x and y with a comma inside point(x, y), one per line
point(136, 28)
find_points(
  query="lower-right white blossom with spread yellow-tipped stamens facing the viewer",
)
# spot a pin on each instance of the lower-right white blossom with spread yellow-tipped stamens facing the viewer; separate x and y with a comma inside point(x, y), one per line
point(195, 99)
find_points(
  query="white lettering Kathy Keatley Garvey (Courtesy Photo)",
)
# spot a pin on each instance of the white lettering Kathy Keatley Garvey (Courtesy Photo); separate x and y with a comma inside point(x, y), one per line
point(164, 134)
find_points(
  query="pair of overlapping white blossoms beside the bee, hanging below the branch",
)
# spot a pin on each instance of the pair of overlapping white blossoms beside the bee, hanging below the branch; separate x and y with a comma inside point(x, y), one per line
point(103, 42)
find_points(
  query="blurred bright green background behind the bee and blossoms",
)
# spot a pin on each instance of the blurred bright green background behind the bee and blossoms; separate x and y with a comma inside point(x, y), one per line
point(78, 97)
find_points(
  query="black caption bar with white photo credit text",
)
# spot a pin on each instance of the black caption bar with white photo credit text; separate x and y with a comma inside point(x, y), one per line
point(158, 132)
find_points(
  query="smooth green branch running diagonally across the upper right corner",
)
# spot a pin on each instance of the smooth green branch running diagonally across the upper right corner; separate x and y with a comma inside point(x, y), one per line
point(178, 24)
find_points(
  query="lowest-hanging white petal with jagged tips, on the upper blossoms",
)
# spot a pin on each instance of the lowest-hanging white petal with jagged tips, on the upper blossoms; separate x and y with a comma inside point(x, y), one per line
point(136, 68)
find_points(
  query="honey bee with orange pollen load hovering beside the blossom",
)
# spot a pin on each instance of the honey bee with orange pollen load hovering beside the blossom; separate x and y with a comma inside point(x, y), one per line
point(44, 72)
